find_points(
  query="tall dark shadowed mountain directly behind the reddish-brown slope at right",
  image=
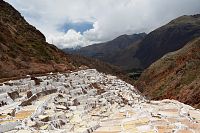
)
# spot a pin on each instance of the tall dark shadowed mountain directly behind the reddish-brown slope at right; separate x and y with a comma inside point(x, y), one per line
point(168, 38)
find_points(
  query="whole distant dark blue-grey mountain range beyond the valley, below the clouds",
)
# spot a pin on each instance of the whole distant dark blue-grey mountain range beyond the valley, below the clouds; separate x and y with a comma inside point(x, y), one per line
point(141, 52)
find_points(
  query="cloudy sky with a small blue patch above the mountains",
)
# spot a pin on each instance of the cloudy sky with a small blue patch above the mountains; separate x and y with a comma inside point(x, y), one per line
point(72, 23)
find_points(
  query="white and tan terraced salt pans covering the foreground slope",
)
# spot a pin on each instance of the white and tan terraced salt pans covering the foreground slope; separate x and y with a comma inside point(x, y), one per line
point(87, 101)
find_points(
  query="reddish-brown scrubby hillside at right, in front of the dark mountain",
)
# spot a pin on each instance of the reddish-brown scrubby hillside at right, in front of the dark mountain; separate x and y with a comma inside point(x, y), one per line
point(174, 76)
